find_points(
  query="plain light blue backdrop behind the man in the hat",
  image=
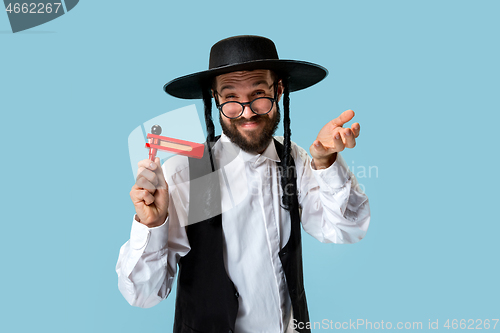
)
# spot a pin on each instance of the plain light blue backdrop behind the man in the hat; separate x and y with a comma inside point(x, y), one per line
point(422, 77)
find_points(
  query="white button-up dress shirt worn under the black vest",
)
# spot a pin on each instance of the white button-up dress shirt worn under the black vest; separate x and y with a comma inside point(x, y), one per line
point(255, 228)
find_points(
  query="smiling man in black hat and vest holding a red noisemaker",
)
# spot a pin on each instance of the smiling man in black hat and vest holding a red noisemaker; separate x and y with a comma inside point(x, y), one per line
point(231, 221)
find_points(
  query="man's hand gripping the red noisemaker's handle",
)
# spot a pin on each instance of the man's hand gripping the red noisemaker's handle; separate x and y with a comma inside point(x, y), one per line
point(150, 194)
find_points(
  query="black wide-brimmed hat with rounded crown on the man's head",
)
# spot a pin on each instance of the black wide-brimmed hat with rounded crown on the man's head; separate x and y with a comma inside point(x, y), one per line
point(245, 53)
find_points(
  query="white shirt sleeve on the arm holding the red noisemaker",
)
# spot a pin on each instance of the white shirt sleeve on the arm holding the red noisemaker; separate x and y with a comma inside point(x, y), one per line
point(147, 262)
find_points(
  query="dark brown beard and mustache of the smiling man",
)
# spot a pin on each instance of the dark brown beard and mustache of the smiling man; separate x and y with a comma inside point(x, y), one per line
point(256, 144)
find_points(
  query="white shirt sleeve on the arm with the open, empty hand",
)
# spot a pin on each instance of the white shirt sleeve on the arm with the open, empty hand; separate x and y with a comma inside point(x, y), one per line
point(334, 208)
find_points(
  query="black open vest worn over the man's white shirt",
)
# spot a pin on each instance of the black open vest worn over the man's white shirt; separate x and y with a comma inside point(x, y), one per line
point(207, 300)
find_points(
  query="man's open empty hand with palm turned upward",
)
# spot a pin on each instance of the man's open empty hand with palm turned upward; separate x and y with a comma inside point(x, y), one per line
point(333, 138)
